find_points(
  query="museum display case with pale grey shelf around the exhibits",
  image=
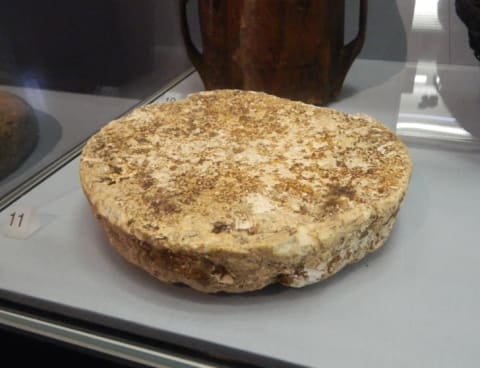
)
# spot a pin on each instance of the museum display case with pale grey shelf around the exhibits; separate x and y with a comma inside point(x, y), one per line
point(411, 303)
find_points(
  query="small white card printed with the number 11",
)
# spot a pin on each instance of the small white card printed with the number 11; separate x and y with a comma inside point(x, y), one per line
point(19, 223)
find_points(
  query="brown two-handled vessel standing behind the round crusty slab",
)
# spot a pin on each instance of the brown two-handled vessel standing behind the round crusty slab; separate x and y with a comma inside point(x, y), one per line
point(290, 48)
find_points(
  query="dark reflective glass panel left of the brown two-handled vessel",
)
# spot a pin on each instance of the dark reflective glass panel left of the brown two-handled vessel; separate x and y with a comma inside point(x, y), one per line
point(78, 65)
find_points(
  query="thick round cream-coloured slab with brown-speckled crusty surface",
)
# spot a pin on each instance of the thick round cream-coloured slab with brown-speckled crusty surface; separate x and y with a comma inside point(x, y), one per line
point(231, 190)
